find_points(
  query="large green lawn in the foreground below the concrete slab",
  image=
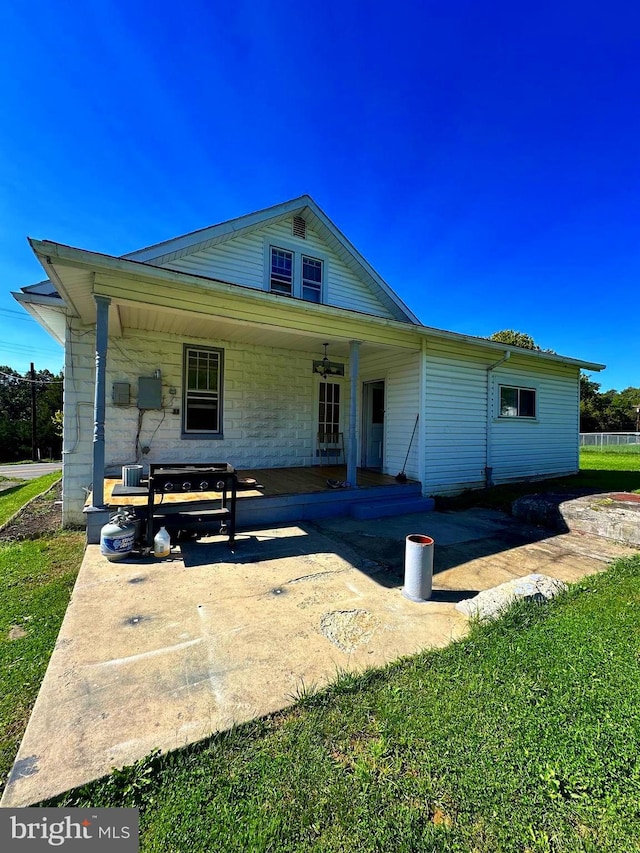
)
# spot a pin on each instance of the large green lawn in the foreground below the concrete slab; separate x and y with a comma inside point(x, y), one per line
point(522, 737)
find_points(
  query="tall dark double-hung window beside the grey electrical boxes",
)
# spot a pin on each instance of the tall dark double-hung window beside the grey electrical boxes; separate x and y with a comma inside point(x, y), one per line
point(202, 392)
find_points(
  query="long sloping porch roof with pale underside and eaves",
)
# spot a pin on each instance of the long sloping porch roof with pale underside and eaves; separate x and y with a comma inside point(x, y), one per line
point(155, 299)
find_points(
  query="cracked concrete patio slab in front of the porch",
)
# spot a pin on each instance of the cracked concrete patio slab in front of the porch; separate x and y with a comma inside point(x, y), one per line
point(158, 654)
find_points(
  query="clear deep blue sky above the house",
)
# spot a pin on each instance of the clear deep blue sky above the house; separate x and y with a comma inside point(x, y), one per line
point(483, 156)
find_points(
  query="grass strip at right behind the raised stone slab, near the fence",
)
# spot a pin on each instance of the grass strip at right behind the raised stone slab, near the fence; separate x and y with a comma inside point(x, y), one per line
point(601, 470)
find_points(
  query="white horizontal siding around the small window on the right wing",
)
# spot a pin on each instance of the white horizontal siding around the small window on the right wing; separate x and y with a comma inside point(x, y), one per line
point(456, 419)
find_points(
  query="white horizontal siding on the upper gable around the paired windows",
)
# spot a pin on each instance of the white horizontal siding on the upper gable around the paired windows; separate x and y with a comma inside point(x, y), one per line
point(241, 260)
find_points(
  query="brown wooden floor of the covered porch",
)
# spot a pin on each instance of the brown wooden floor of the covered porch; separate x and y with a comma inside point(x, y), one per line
point(276, 482)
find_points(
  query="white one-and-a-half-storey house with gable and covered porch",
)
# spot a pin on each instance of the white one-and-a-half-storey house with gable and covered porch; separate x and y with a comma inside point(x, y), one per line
point(226, 326)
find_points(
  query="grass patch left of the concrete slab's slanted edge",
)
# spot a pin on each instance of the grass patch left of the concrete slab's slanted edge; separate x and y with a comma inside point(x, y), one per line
point(36, 579)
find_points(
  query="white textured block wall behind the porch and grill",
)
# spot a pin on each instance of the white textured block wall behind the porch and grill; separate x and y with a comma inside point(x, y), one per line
point(269, 416)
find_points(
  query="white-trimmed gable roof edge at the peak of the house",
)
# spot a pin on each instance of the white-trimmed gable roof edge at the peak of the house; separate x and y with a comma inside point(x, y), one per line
point(168, 251)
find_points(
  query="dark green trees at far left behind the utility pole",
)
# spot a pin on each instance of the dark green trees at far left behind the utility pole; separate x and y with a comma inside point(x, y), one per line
point(16, 409)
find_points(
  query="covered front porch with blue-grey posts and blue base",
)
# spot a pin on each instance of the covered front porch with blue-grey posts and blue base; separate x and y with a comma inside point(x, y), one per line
point(138, 324)
